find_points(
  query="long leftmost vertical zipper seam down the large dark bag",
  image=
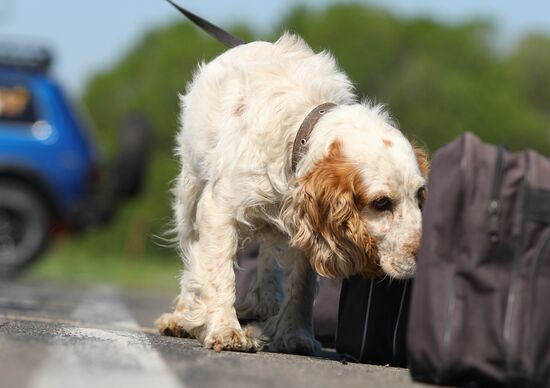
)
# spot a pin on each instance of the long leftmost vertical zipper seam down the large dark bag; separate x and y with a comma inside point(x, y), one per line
point(452, 295)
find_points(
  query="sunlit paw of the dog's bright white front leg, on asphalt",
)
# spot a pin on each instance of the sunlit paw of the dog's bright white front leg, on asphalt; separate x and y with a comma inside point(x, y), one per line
point(237, 340)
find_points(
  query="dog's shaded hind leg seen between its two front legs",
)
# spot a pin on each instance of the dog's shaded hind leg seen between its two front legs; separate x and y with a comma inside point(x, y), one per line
point(265, 294)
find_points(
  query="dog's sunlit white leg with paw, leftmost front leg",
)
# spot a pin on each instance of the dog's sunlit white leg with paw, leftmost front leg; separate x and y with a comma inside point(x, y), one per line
point(208, 281)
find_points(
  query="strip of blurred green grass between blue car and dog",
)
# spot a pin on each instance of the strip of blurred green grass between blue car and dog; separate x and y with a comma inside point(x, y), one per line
point(67, 263)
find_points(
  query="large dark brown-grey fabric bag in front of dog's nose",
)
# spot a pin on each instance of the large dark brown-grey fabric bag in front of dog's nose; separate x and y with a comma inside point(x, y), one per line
point(479, 313)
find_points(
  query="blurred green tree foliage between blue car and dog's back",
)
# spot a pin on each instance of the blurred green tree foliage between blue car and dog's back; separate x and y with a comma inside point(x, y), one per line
point(148, 80)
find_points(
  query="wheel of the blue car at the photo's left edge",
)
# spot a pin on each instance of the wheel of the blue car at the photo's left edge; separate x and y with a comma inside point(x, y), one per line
point(24, 226)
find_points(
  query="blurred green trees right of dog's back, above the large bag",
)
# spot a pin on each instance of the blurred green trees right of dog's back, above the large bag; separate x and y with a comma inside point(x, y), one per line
point(437, 80)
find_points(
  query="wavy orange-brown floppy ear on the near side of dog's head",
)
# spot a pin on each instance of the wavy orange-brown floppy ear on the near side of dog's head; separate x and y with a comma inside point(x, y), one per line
point(324, 217)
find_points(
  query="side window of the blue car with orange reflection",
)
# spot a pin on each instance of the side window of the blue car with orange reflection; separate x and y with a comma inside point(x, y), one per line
point(16, 105)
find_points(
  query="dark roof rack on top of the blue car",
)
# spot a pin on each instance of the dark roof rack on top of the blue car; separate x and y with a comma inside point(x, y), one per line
point(26, 57)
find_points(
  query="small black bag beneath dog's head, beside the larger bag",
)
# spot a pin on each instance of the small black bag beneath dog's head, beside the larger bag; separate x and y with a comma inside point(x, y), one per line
point(372, 321)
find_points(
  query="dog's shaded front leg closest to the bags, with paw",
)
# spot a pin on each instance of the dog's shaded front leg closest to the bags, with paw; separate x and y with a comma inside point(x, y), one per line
point(291, 331)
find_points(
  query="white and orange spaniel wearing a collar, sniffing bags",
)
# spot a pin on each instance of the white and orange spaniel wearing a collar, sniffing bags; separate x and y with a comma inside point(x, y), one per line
point(347, 202)
